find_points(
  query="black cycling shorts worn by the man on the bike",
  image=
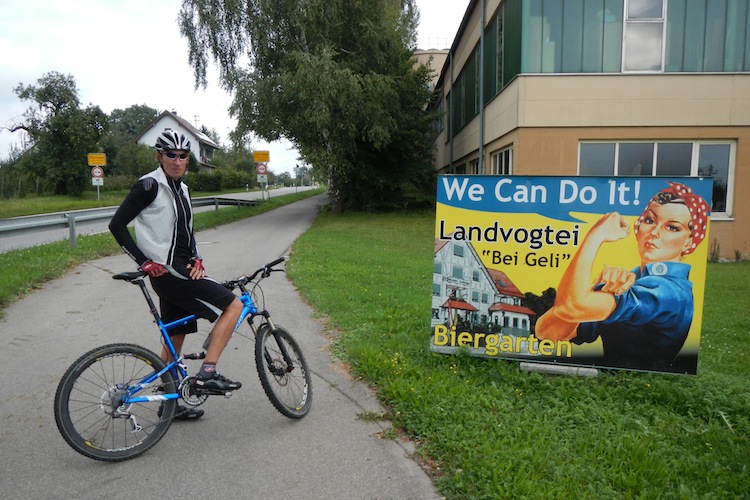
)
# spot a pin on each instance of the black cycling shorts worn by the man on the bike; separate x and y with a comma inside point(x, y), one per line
point(180, 297)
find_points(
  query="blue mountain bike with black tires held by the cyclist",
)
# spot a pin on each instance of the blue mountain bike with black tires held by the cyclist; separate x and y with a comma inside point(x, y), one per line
point(117, 401)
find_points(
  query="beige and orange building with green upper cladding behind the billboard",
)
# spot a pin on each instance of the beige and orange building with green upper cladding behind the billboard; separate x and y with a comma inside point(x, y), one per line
point(604, 87)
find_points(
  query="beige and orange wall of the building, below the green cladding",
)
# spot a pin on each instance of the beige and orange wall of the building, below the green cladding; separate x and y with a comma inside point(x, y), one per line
point(544, 117)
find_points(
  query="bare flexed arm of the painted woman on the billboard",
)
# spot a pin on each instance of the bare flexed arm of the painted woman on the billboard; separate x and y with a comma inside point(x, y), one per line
point(576, 299)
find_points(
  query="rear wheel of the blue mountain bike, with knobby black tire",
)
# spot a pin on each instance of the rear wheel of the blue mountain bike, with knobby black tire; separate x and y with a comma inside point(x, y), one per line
point(87, 394)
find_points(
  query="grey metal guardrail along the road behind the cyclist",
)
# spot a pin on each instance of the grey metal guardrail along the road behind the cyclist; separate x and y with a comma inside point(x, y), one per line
point(62, 220)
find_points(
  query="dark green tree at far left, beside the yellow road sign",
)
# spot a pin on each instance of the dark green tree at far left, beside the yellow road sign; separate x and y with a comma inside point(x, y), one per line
point(61, 133)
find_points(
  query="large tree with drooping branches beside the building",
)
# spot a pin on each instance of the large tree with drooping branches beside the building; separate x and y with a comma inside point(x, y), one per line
point(336, 77)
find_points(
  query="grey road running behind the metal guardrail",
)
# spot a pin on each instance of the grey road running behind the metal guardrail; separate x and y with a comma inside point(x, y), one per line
point(33, 239)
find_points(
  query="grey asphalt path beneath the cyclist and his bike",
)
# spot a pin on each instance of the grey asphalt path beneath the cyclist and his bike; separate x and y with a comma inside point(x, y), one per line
point(242, 447)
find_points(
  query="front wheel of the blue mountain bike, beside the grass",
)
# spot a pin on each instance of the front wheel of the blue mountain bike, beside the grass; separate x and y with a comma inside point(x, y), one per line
point(290, 392)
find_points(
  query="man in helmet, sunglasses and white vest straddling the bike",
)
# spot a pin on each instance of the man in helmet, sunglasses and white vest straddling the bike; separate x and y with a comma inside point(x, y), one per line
point(166, 250)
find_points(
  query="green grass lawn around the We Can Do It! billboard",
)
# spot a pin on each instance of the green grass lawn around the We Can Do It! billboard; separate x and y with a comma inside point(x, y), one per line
point(488, 430)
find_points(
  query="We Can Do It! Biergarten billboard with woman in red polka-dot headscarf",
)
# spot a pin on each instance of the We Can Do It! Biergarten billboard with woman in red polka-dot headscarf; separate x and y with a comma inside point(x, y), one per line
point(585, 271)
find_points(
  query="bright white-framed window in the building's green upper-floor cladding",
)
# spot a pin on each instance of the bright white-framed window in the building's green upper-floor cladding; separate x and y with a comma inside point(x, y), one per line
point(643, 46)
